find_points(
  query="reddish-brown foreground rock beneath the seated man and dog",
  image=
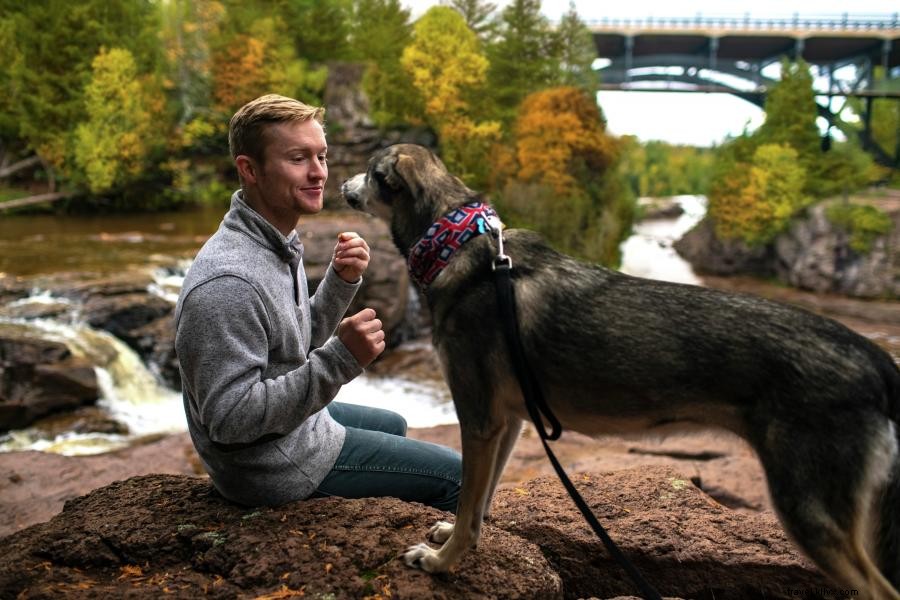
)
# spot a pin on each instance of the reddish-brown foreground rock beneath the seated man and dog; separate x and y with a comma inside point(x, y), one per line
point(691, 513)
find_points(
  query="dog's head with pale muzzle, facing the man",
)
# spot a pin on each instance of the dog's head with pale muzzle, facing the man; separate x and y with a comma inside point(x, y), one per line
point(407, 186)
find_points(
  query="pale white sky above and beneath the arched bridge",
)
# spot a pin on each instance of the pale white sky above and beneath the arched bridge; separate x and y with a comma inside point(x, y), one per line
point(682, 118)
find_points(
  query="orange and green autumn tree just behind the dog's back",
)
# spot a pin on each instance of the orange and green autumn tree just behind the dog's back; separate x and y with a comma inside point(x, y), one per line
point(567, 184)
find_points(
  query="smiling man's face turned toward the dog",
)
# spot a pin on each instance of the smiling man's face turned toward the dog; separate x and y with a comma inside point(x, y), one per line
point(292, 178)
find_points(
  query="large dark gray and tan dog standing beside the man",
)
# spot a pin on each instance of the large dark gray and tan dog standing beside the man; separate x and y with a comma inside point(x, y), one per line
point(616, 354)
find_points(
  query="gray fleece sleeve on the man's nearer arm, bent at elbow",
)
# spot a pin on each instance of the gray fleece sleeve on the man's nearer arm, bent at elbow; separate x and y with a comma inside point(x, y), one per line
point(222, 342)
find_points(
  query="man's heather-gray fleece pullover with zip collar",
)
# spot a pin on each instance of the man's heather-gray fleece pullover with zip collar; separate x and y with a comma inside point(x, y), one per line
point(258, 364)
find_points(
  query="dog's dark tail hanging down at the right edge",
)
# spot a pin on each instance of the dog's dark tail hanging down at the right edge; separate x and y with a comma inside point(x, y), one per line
point(889, 534)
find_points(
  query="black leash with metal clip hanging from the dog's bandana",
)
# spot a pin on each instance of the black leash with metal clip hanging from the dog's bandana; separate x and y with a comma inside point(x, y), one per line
point(538, 410)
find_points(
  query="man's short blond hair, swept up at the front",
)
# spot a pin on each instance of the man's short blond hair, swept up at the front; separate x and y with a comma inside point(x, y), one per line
point(246, 131)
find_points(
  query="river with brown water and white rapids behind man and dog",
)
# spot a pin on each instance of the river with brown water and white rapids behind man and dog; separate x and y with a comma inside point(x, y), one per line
point(36, 246)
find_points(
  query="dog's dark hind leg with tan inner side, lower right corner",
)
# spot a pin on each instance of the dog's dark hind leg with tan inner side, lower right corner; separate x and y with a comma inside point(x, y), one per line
point(828, 508)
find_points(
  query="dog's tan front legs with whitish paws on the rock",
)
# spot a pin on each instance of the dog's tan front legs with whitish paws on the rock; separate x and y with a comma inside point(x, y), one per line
point(480, 461)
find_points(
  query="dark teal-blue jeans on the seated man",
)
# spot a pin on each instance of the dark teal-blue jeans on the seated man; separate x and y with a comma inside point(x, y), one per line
point(377, 459)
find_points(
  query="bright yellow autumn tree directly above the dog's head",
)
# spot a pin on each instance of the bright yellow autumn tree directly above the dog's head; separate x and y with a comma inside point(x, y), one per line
point(448, 68)
